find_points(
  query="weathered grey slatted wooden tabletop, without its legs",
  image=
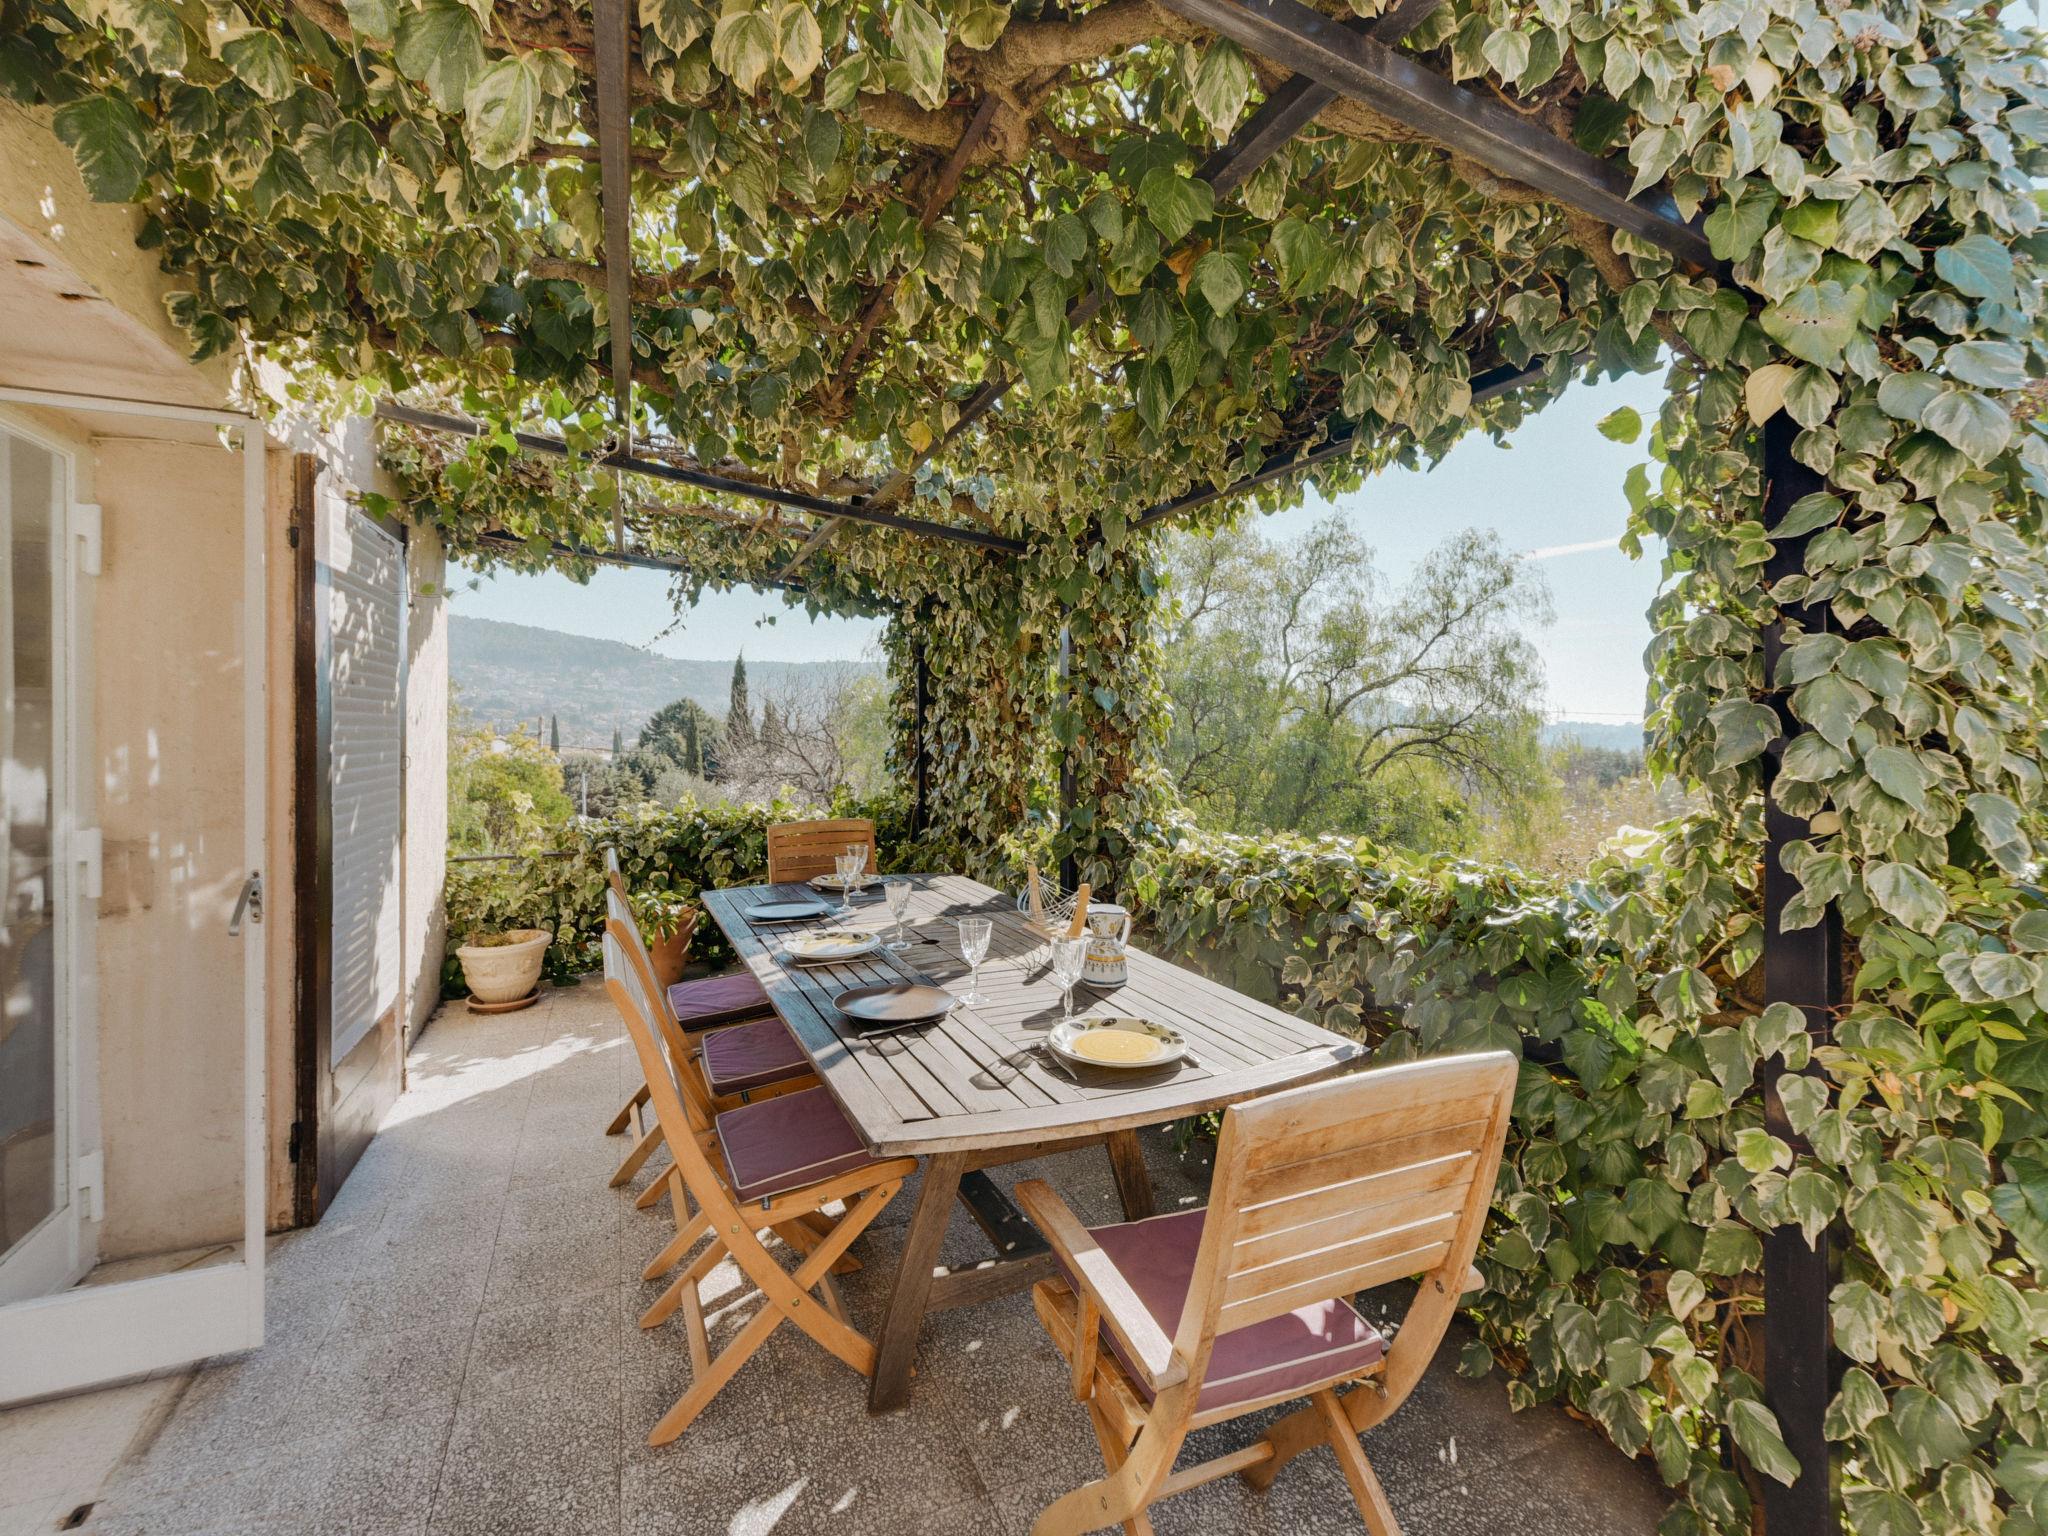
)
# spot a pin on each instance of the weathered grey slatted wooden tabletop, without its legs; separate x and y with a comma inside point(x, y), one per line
point(982, 1078)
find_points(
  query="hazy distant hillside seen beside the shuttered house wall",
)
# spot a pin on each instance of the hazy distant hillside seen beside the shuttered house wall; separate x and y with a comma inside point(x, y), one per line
point(519, 673)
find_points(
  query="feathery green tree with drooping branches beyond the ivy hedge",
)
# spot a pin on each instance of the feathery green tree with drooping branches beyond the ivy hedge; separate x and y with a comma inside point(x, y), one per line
point(1312, 695)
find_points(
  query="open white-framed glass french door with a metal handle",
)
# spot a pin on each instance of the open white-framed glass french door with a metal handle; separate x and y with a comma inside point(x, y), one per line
point(103, 1111)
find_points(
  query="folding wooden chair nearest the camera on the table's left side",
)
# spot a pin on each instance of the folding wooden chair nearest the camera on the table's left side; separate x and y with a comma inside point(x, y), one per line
point(771, 1166)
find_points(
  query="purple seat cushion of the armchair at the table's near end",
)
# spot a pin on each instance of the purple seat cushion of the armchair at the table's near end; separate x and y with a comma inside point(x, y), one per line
point(1281, 1357)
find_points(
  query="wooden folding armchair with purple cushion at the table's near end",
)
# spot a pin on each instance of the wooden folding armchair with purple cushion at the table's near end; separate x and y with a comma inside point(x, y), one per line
point(1213, 1314)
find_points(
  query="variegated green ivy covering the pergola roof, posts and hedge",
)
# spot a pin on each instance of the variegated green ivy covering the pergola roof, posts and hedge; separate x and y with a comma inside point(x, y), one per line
point(853, 218)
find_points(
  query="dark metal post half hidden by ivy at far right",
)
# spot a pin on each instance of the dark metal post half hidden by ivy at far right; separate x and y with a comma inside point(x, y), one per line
point(1803, 970)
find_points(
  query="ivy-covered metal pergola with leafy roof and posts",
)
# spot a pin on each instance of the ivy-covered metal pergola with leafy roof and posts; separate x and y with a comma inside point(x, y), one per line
point(972, 302)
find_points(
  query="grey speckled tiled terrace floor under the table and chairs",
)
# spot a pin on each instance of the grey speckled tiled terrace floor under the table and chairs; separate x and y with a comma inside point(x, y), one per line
point(454, 1351)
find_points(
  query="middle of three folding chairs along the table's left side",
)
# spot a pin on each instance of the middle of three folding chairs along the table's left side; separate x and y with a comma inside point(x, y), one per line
point(732, 1064)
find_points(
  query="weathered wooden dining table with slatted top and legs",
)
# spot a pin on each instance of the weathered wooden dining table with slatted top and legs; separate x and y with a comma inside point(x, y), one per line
point(980, 1086)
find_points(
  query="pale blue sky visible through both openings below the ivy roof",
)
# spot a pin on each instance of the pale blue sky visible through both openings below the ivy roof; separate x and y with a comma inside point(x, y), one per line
point(1555, 490)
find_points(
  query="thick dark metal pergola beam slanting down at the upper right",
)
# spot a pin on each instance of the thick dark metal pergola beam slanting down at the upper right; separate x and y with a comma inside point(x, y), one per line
point(1396, 87)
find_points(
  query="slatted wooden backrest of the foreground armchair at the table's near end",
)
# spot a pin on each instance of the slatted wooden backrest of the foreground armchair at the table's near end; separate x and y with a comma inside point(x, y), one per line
point(1338, 1187)
